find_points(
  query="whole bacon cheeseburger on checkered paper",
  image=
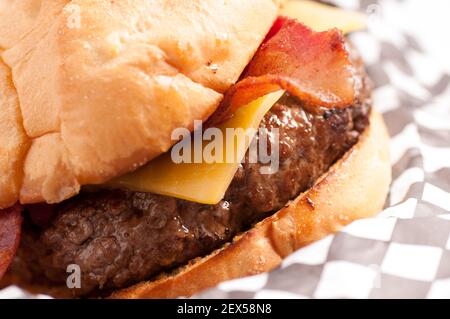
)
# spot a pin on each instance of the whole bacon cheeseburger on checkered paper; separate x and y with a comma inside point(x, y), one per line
point(91, 94)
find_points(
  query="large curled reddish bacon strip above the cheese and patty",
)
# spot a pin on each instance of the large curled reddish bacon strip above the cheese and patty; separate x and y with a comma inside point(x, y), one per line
point(313, 66)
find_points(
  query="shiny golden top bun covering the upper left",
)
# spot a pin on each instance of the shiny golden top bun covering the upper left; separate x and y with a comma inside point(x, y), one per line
point(94, 89)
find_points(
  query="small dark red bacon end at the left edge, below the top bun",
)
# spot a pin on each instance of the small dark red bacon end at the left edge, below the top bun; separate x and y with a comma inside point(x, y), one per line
point(10, 230)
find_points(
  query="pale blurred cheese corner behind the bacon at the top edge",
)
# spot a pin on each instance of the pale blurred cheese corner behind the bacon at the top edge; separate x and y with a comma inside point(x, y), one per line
point(322, 17)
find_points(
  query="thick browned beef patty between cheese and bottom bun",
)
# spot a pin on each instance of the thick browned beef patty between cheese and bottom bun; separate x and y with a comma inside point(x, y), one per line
point(119, 237)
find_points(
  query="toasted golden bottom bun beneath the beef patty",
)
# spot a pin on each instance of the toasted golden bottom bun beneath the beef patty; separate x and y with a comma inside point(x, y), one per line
point(355, 187)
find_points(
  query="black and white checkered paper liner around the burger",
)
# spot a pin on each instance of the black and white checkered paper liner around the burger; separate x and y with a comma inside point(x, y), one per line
point(405, 251)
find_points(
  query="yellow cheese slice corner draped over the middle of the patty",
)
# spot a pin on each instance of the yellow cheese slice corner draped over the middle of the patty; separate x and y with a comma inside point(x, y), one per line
point(202, 182)
